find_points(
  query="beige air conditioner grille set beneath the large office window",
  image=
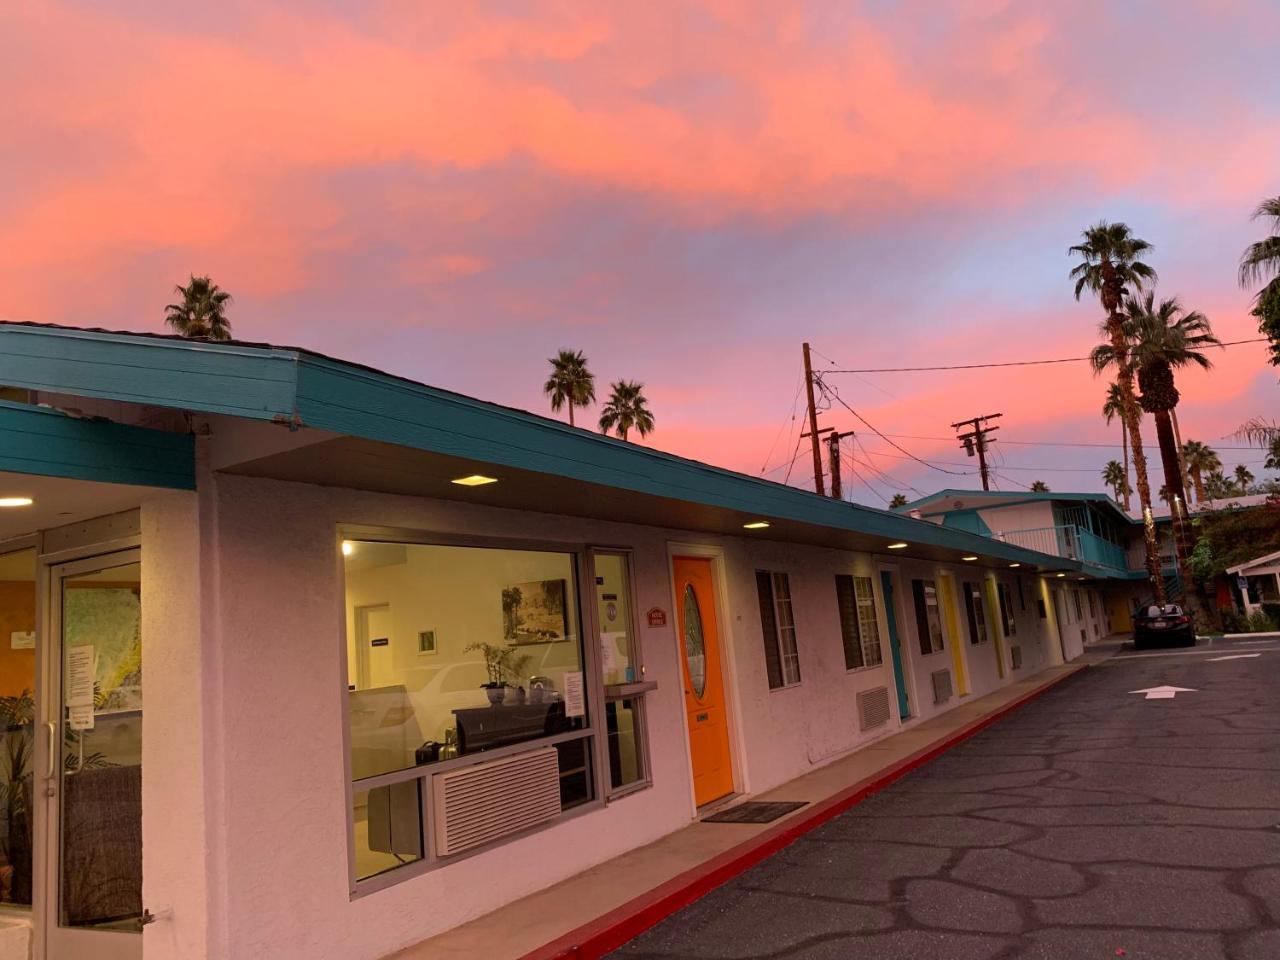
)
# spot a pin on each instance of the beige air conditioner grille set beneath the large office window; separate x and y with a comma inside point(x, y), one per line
point(477, 804)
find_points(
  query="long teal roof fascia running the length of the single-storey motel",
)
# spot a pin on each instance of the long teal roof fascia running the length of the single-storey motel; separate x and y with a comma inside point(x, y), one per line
point(312, 391)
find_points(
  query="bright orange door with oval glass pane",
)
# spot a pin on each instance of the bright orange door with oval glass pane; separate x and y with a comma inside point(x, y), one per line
point(705, 682)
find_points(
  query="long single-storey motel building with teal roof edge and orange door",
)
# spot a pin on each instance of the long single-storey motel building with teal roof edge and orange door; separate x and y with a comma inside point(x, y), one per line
point(253, 598)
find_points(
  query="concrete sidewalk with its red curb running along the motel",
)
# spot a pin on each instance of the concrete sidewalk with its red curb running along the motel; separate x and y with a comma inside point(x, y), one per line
point(602, 908)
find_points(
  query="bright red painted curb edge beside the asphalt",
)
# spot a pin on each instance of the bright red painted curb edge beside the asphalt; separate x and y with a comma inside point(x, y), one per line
point(610, 931)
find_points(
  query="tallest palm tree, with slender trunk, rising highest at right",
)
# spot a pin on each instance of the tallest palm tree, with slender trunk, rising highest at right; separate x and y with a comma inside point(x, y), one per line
point(1112, 268)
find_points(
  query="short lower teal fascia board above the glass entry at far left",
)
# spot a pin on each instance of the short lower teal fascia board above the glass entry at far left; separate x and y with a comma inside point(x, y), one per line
point(47, 444)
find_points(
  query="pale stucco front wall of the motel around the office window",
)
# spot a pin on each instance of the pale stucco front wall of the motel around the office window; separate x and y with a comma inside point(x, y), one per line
point(262, 661)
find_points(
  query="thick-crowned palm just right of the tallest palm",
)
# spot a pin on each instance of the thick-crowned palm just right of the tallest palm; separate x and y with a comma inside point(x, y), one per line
point(1163, 339)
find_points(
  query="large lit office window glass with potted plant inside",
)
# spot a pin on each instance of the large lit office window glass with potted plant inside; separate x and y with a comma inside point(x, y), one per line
point(500, 666)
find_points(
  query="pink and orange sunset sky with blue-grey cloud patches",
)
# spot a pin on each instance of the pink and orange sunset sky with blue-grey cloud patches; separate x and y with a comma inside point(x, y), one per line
point(684, 191)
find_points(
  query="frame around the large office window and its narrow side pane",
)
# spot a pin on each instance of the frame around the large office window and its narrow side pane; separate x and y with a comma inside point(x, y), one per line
point(593, 729)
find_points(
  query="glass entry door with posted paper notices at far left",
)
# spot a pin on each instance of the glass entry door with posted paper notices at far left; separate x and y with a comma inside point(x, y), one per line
point(93, 781)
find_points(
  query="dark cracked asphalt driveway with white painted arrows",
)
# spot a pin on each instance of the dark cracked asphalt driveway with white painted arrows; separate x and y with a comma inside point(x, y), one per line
point(1095, 822)
